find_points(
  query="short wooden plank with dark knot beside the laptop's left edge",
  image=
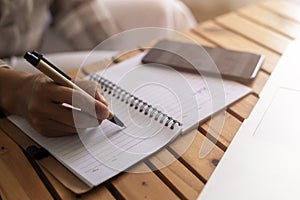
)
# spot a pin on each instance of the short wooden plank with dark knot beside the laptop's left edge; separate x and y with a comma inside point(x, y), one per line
point(201, 167)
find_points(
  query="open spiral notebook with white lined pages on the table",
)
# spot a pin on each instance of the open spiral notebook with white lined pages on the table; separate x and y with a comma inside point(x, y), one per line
point(155, 104)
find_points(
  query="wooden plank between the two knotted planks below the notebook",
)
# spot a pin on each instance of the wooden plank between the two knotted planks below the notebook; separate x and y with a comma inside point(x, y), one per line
point(175, 175)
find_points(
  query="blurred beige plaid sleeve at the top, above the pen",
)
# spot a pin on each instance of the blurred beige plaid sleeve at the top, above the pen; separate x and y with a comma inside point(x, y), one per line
point(83, 23)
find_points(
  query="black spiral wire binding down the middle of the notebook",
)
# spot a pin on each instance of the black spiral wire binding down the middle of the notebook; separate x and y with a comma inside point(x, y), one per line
point(133, 101)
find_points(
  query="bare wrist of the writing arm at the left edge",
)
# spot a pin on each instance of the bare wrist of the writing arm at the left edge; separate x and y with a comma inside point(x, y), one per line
point(11, 94)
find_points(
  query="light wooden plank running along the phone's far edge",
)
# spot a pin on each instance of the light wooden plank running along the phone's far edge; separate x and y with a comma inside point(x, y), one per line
point(227, 39)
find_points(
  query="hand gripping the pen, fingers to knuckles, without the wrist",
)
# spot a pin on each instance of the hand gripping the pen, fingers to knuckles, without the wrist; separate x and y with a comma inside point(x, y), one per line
point(44, 110)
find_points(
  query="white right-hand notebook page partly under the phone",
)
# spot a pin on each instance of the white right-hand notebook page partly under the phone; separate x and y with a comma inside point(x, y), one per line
point(193, 93)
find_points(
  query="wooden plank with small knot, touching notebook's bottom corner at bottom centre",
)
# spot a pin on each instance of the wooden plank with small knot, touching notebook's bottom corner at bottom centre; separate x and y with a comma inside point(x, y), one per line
point(142, 185)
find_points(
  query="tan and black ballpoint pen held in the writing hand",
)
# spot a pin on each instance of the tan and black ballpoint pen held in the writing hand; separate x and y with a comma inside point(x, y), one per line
point(59, 77)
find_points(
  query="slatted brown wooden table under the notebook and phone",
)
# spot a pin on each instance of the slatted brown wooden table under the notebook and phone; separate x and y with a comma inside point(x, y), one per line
point(265, 28)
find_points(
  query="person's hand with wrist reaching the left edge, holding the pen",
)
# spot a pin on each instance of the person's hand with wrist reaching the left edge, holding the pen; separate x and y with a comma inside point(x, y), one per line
point(40, 101)
